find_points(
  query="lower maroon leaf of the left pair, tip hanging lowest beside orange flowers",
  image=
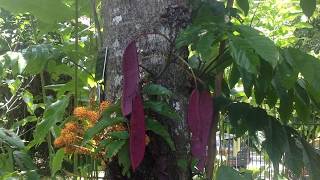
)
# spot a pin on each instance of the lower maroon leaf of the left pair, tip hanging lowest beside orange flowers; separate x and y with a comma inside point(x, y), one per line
point(137, 132)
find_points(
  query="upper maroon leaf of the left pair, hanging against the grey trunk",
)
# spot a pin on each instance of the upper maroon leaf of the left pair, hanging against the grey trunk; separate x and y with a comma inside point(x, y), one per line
point(130, 71)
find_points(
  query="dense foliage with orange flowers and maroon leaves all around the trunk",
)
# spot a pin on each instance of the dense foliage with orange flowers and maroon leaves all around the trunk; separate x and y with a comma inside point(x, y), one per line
point(251, 66)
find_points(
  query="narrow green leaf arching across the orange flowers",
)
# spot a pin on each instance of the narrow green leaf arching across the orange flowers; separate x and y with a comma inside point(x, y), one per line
point(99, 126)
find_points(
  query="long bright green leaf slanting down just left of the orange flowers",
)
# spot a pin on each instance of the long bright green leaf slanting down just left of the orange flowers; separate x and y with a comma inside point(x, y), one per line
point(52, 115)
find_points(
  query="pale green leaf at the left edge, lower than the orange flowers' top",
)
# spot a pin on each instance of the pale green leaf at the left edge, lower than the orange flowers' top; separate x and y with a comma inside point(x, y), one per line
point(10, 138)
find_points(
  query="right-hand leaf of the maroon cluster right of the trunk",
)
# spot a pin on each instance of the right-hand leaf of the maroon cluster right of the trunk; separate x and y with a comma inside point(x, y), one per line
point(206, 117)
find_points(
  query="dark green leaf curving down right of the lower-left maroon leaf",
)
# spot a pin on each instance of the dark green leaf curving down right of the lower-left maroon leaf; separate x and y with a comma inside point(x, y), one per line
point(159, 129)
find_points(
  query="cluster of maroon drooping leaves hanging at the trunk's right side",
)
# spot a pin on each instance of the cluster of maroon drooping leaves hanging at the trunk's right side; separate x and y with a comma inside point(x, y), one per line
point(200, 117)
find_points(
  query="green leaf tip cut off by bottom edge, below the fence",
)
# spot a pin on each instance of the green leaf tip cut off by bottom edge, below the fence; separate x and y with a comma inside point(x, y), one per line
point(225, 172)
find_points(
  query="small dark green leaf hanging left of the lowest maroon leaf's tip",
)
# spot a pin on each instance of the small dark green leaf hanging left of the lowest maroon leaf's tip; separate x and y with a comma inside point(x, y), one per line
point(124, 159)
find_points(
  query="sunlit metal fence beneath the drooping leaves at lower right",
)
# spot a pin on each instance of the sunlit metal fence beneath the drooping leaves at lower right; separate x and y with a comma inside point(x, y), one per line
point(239, 153)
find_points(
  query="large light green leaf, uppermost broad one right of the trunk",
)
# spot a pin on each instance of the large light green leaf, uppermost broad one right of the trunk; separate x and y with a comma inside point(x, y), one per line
point(261, 44)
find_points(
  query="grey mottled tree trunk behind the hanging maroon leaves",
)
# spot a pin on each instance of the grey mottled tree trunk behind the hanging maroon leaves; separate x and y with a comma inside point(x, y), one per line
point(127, 20)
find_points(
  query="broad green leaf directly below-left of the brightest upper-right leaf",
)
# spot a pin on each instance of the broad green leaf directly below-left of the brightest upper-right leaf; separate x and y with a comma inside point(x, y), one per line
point(243, 55)
